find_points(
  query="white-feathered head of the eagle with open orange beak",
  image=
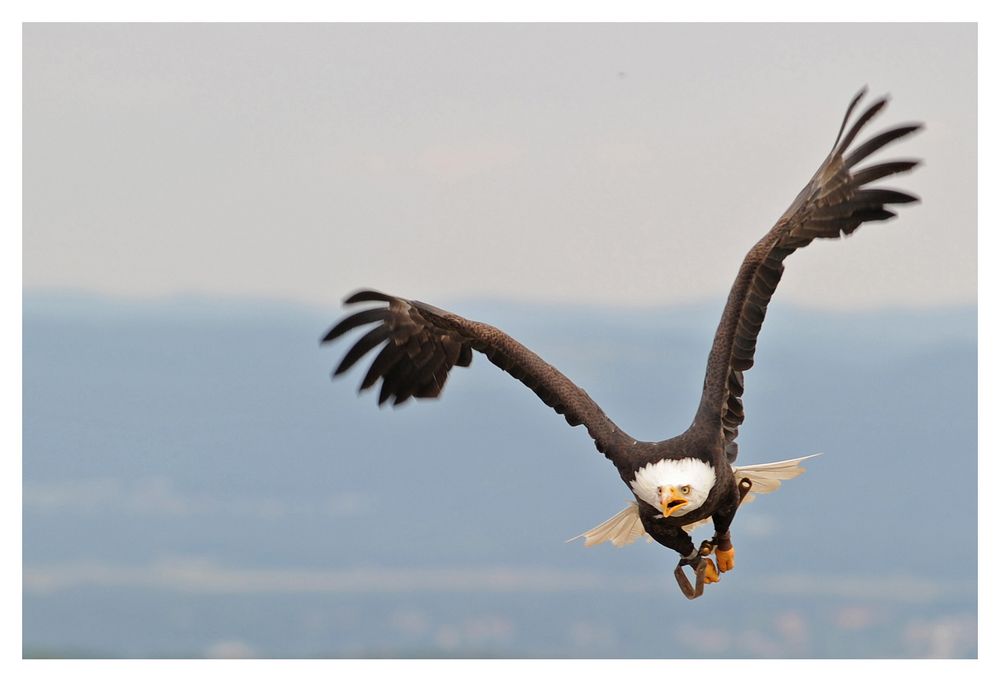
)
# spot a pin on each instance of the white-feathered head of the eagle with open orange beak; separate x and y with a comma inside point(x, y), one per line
point(674, 486)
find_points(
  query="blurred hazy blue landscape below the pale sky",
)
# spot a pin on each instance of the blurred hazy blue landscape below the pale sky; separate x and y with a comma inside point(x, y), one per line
point(191, 476)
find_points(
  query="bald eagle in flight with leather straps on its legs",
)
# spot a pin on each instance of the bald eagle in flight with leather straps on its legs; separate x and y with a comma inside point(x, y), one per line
point(680, 482)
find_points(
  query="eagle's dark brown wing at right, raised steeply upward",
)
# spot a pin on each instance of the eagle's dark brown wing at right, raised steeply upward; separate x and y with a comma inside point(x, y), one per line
point(835, 202)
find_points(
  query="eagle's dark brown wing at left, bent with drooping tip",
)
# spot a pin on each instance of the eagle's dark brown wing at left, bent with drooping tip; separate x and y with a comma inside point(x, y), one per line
point(421, 343)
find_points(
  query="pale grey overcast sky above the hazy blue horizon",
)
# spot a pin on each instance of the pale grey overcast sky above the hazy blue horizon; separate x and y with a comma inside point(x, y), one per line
point(621, 163)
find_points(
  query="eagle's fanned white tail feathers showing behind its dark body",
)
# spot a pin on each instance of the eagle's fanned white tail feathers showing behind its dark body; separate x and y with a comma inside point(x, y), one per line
point(625, 527)
